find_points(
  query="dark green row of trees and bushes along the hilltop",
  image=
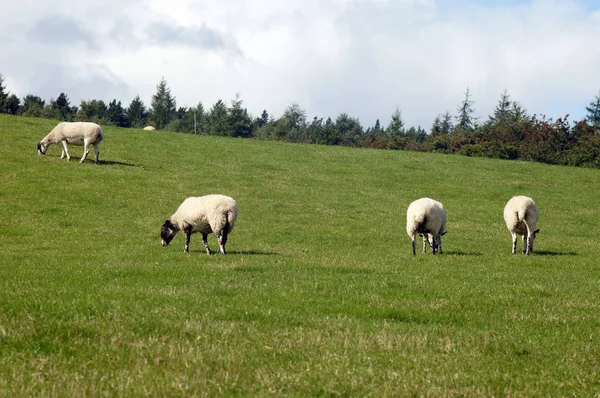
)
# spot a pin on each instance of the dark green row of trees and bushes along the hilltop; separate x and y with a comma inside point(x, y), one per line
point(509, 133)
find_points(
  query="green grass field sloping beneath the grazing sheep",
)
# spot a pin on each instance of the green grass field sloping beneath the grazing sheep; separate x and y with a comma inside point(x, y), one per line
point(319, 294)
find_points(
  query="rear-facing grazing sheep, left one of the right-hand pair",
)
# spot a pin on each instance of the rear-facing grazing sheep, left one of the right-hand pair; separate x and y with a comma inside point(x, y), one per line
point(427, 218)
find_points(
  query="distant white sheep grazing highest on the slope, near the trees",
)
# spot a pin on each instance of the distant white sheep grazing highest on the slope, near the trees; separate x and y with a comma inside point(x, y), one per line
point(78, 133)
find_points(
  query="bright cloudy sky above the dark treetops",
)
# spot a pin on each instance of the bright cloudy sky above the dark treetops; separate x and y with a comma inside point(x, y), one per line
point(365, 58)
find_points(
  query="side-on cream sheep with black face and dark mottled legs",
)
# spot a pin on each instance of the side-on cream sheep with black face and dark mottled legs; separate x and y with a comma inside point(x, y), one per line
point(204, 214)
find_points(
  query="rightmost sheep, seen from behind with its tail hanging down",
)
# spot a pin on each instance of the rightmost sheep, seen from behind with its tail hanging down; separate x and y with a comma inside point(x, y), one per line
point(521, 215)
